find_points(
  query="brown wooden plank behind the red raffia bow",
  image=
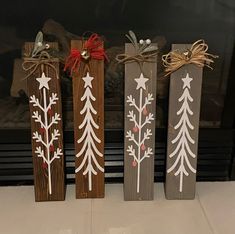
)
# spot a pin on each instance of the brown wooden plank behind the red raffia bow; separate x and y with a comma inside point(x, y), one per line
point(89, 185)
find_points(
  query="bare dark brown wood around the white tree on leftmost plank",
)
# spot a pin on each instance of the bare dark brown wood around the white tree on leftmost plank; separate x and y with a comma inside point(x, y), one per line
point(41, 183)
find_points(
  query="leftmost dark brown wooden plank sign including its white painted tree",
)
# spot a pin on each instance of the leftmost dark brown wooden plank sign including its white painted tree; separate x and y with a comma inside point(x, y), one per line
point(46, 125)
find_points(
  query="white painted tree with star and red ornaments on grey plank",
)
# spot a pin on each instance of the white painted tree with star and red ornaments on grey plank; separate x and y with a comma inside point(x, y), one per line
point(140, 117)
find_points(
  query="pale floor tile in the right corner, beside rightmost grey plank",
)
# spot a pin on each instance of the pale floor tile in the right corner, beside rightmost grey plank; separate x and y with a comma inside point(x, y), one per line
point(218, 202)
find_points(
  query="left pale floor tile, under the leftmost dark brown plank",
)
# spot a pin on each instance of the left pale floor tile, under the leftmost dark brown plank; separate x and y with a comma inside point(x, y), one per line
point(19, 214)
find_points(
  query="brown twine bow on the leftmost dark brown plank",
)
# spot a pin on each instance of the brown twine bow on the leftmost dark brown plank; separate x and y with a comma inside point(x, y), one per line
point(32, 64)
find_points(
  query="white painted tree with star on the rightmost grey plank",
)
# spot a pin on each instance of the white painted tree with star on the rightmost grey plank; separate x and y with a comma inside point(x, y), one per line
point(183, 139)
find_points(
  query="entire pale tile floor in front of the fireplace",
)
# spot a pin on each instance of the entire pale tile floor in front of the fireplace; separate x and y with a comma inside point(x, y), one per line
point(212, 212)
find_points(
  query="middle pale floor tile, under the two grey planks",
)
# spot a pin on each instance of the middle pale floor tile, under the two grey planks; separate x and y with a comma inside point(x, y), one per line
point(112, 215)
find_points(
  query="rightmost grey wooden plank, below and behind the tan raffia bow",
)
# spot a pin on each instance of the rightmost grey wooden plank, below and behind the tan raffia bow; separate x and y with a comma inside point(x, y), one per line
point(185, 82)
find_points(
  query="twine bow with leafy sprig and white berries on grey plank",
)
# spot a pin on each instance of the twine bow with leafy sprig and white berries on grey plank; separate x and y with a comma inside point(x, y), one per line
point(144, 51)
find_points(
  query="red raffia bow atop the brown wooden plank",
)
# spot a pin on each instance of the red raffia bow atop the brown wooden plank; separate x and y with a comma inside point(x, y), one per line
point(93, 48)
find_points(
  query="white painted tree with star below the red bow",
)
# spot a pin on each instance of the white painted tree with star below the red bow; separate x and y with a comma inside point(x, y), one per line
point(89, 149)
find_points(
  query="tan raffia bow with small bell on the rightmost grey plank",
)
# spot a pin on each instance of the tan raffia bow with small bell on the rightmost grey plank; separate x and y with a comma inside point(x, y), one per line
point(196, 55)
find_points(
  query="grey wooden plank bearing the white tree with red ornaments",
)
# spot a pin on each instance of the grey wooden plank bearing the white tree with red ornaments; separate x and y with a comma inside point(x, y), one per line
point(141, 189)
